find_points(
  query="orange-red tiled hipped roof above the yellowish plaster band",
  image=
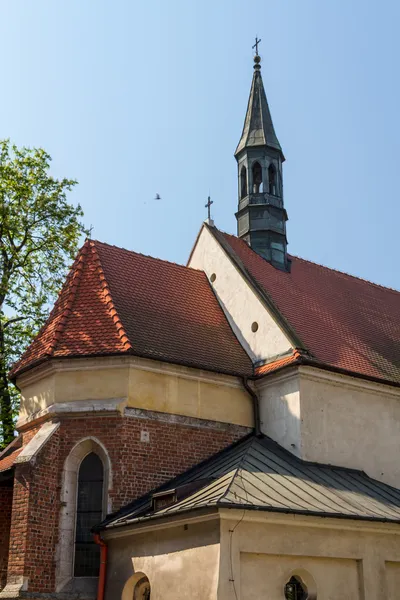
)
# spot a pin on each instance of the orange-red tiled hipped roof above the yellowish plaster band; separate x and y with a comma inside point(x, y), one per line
point(119, 302)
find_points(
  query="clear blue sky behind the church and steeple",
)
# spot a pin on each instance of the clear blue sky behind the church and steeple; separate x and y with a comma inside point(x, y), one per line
point(137, 97)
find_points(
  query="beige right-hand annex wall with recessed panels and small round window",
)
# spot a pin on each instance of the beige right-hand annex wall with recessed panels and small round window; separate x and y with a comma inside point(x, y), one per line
point(337, 559)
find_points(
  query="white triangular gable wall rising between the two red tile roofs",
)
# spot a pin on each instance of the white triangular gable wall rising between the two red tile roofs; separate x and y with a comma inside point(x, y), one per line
point(238, 300)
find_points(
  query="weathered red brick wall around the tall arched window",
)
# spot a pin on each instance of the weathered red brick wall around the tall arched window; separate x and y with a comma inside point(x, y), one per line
point(137, 467)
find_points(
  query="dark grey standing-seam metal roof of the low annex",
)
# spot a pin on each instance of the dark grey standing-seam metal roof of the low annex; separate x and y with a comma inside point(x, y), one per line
point(257, 473)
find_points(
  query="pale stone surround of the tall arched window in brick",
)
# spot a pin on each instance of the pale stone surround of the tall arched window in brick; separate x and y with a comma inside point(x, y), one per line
point(69, 488)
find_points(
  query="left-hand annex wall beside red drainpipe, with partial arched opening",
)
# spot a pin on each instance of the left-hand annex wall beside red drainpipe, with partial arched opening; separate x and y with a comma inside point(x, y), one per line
point(179, 563)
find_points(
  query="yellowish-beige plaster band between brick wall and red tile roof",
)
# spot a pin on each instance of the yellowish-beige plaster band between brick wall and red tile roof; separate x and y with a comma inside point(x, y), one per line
point(138, 383)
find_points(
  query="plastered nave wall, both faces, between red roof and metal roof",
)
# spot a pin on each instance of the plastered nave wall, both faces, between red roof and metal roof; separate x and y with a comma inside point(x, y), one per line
point(335, 419)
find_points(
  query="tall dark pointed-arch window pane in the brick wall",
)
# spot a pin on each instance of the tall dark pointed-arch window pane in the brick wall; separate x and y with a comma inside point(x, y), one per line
point(89, 512)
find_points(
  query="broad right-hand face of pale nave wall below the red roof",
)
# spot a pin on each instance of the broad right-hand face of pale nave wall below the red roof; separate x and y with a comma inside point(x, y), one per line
point(352, 423)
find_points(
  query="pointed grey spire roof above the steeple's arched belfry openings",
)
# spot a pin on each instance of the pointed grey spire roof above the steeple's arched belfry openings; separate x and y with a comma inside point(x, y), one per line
point(258, 129)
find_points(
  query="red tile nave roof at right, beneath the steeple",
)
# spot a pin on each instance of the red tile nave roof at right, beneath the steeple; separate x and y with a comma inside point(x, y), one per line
point(344, 322)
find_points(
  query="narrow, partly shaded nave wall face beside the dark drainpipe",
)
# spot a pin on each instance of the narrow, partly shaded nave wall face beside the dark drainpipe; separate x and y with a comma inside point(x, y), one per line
point(280, 412)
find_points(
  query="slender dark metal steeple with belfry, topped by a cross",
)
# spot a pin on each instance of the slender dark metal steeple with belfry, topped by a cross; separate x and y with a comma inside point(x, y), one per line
point(261, 215)
